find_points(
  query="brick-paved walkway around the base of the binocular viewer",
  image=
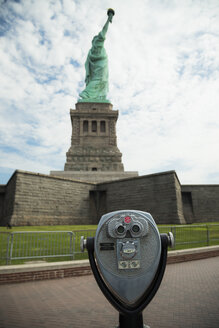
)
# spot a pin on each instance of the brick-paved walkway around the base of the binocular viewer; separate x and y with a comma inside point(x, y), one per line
point(188, 297)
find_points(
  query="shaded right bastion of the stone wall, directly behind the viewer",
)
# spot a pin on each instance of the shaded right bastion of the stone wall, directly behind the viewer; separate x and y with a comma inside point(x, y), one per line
point(155, 193)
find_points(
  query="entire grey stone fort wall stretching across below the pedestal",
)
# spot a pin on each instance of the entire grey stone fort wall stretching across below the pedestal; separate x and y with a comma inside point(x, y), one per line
point(37, 199)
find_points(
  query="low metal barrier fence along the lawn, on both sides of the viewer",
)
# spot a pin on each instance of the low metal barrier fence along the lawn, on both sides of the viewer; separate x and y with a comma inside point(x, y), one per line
point(19, 247)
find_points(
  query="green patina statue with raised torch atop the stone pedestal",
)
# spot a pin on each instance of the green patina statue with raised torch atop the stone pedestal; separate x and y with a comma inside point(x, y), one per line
point(96, 67)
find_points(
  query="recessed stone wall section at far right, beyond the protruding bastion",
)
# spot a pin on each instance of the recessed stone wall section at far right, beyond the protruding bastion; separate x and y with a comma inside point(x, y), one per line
point(201, 203)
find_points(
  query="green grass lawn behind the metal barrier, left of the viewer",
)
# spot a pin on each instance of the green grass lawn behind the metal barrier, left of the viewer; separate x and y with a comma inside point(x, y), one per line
point(27, 242)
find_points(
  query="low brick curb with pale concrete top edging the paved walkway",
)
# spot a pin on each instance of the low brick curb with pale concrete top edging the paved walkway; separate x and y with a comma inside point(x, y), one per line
point(41, 271)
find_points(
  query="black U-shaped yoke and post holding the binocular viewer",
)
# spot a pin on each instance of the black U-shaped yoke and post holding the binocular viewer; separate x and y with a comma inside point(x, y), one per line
point(130, 317)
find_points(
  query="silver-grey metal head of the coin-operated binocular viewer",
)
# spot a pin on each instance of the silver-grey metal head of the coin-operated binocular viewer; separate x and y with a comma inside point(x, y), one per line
point(128, 249)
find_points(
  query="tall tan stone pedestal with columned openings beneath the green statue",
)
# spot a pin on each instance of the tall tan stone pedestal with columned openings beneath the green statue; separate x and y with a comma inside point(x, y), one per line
point(94, 155)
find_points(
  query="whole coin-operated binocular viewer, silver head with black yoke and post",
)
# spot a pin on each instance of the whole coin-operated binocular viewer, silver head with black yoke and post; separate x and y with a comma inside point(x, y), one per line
point(131, 258)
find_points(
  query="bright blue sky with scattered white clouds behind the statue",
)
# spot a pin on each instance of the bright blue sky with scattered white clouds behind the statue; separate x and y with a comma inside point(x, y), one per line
point(163, 58)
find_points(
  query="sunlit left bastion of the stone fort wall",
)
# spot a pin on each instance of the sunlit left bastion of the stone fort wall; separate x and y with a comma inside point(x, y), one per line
point(45, 200)
